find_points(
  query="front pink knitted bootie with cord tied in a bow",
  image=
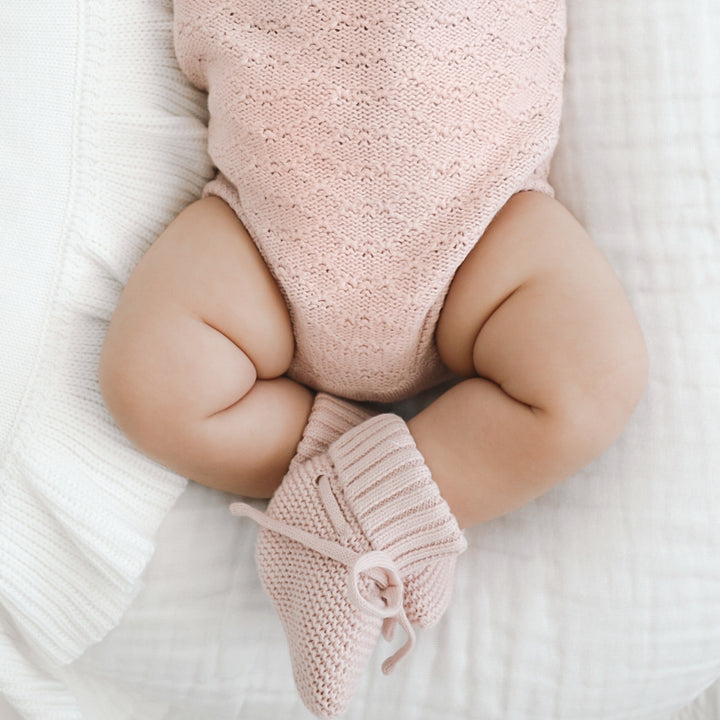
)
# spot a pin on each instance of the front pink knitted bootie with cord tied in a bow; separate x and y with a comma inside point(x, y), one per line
point(342, 533)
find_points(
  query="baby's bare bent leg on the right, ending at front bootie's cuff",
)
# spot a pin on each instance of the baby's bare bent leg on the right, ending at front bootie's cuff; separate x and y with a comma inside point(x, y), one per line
point(539, 323)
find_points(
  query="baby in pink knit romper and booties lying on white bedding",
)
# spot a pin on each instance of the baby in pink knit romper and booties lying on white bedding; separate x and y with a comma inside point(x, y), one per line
point(380, 222)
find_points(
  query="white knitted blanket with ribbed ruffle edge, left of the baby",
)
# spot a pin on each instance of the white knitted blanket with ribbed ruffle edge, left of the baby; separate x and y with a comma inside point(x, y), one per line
point(79, 508)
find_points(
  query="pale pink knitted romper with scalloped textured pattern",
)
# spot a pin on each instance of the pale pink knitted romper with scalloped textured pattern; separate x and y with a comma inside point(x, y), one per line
point(366, 145)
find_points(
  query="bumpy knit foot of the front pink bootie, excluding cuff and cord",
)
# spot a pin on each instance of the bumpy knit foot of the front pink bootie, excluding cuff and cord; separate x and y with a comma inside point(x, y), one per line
point(329, 639)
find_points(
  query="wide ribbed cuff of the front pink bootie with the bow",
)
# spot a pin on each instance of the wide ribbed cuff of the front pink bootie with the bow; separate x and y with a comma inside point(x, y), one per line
point(388, 488)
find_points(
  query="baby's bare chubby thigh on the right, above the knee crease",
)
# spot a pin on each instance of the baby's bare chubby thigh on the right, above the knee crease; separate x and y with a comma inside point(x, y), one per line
point(538, 310)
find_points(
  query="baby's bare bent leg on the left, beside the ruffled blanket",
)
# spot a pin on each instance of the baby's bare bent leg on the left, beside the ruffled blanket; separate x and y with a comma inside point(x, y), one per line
point(194, 356)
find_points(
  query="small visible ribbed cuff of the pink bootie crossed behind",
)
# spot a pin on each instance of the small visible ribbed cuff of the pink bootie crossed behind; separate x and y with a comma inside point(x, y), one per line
point(330, 417)
